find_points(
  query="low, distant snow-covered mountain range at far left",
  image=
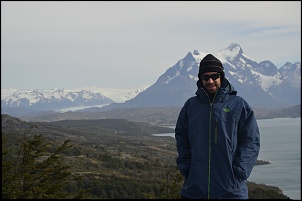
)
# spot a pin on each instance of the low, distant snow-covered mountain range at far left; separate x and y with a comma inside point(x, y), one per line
point(64, 99)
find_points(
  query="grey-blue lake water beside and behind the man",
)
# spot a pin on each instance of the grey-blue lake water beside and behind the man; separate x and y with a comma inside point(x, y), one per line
point(280, 144)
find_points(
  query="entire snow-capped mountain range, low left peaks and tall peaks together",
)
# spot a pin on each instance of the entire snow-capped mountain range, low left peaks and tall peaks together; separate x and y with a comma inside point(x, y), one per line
point(261, 84)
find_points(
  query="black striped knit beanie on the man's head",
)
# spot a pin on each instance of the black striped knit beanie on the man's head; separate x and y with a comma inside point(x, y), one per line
point(210, 64)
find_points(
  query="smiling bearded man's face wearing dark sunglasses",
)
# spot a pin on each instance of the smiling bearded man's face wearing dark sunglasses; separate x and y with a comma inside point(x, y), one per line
point(211, 81)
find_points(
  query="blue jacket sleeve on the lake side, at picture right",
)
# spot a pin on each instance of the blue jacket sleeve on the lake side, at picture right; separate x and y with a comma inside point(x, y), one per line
point(248, 144)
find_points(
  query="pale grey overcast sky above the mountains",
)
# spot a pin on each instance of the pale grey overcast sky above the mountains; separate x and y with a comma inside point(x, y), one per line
point(69, 44)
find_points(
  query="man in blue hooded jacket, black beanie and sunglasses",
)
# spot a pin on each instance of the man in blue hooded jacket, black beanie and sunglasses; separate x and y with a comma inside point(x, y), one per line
point(217, 138)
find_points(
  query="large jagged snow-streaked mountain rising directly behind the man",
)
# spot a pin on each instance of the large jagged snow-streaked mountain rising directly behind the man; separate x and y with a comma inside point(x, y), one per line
point(261, 84)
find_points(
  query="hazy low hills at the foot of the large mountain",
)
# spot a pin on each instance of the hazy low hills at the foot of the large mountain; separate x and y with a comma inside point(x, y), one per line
point(153, 115)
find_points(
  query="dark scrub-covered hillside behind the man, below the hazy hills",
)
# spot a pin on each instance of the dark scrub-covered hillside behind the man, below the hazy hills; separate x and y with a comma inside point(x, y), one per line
point(118, 158)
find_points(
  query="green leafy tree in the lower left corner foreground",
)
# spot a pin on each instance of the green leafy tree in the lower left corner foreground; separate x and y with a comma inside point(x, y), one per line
point(36, 173)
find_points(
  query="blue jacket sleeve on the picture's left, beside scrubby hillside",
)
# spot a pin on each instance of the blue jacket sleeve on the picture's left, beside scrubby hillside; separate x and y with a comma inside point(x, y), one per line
point(182, 144)
